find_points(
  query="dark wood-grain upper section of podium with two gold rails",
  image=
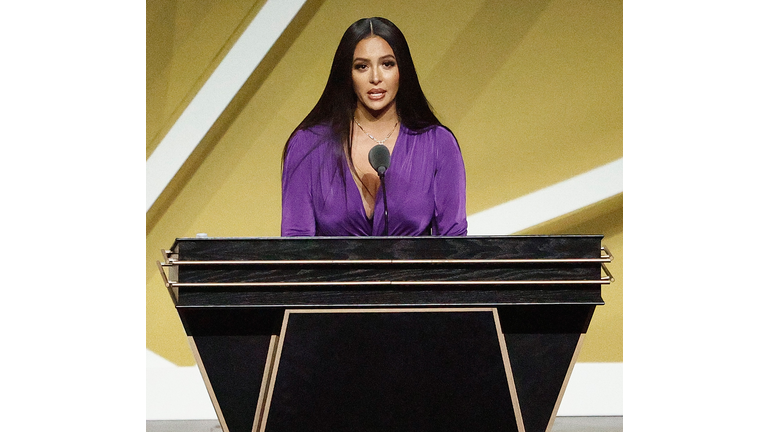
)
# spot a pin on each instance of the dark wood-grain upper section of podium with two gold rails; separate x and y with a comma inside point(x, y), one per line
point(386, 271)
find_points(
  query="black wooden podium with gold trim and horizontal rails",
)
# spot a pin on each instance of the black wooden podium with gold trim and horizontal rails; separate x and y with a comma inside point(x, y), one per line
point(386, 333)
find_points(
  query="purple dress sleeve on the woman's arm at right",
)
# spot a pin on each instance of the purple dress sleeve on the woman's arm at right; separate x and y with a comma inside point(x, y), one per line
point(450, 187)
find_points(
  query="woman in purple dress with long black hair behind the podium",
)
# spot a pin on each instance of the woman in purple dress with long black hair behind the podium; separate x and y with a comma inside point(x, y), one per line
point(372, 97)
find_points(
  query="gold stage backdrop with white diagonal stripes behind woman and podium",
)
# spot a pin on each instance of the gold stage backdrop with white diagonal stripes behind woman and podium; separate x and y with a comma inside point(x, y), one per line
point(531, 89)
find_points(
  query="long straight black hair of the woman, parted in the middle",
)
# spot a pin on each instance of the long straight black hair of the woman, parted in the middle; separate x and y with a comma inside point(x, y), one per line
point(337, 104)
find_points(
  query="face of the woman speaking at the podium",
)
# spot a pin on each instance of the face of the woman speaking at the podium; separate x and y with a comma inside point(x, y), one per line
point(375, 75)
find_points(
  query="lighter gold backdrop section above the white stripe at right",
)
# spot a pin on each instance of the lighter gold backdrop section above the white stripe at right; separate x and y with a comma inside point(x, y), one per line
point(552, 110)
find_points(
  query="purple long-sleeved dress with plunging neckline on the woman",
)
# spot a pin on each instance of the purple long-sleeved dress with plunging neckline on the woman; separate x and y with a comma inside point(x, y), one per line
point(426, 188)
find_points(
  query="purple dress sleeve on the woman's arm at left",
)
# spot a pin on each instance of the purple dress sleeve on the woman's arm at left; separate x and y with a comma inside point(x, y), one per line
point(298, 217)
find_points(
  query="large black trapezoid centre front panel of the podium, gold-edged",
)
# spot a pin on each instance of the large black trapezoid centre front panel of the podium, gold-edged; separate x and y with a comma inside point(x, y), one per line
point(391, 371)
